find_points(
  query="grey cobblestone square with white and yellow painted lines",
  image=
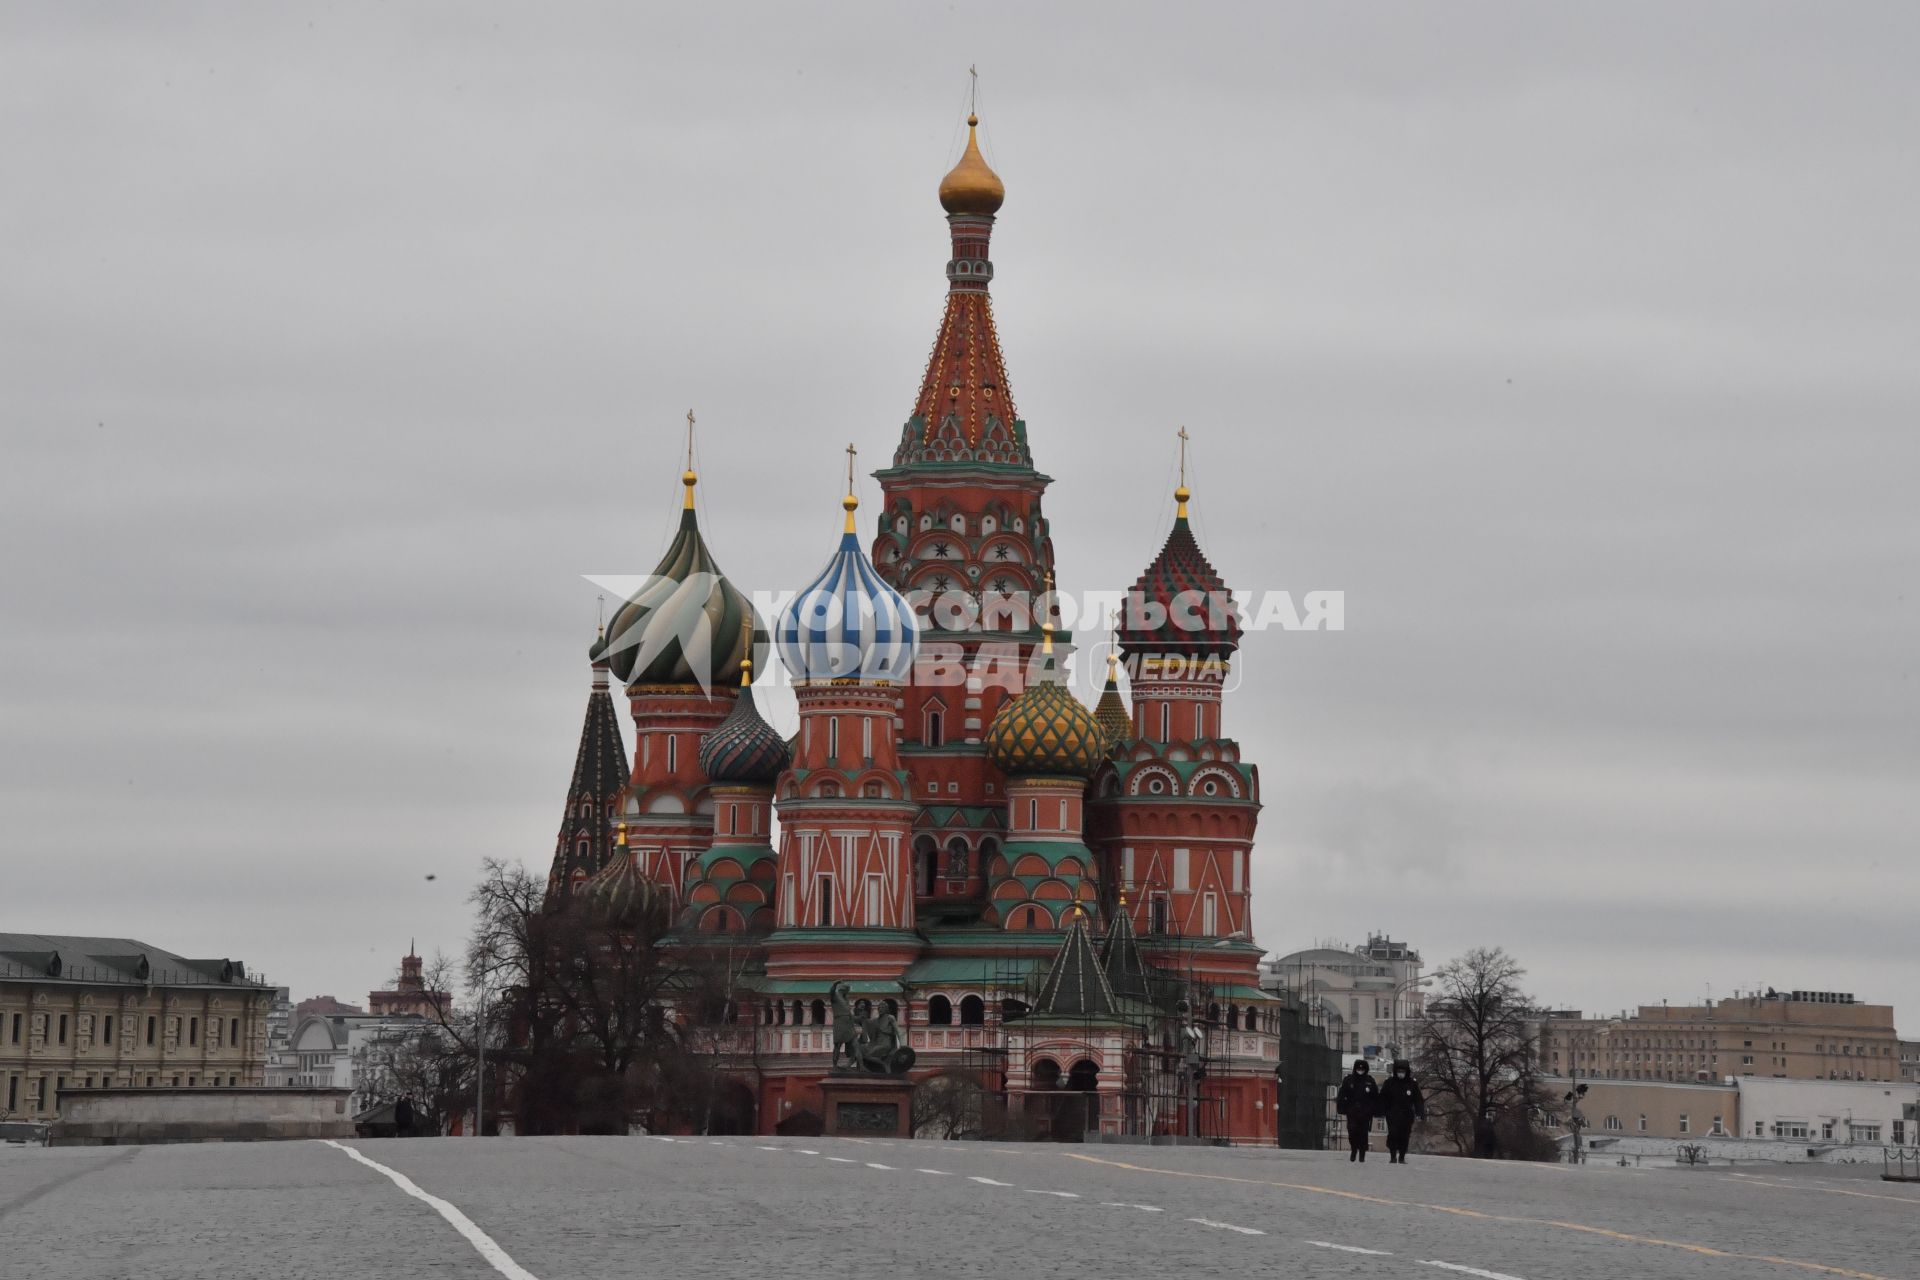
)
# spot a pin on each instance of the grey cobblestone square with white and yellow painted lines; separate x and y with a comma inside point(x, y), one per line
point(587, 1208)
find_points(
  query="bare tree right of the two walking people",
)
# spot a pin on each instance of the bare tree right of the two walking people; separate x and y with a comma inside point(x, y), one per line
point(1479, 1062)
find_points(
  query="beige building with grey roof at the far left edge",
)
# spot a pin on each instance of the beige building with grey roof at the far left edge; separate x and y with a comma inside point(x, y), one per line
point(82, 1014)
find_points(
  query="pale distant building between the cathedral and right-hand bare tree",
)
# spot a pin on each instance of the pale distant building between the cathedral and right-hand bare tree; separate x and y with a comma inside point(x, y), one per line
point(1366, 999)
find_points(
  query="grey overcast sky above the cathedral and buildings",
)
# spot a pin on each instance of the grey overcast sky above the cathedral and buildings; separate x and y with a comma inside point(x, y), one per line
point(1577, 346)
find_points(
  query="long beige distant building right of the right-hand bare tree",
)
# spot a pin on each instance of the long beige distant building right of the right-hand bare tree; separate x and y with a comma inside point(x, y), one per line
point(1798, 1035)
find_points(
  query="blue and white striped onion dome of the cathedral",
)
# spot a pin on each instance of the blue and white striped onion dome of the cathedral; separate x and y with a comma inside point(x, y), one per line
point(850, 625)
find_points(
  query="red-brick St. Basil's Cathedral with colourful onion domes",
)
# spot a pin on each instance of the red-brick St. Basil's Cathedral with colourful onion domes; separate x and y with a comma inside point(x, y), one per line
point(1051, 899)
